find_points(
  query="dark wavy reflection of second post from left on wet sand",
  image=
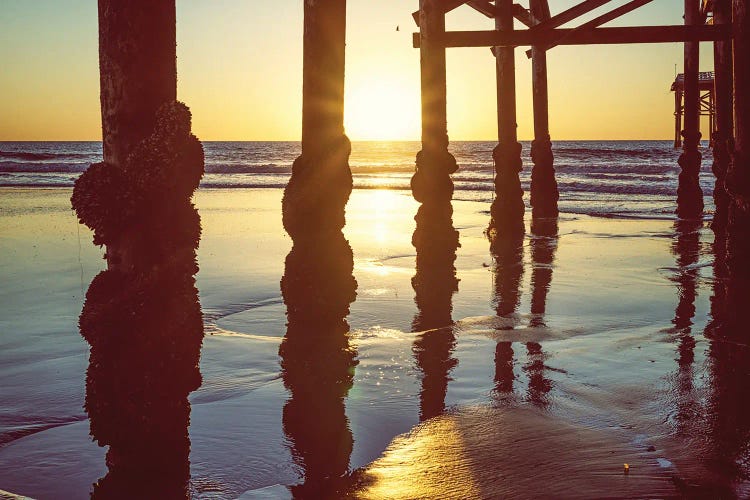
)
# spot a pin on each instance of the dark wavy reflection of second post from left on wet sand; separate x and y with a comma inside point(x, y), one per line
point(318, 361)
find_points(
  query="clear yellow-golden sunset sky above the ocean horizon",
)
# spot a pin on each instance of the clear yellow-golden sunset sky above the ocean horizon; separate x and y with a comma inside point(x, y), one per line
point(239, 68)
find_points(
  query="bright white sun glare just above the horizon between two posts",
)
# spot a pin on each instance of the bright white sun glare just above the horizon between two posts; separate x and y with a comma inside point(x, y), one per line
point(382, 110)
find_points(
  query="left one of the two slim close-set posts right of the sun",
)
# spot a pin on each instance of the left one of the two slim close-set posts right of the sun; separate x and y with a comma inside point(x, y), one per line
point(508, 208)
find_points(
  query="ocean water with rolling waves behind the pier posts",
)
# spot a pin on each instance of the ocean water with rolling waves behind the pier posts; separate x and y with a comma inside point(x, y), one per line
point(606, 178)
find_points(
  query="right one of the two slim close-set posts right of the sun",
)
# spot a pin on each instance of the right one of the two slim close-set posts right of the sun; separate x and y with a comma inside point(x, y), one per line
point(544, 193)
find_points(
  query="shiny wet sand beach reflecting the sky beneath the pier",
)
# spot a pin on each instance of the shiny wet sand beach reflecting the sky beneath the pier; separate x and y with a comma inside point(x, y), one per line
point(557, 360)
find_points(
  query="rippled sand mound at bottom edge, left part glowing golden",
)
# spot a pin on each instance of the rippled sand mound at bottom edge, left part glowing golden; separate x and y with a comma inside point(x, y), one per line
point(484, 452)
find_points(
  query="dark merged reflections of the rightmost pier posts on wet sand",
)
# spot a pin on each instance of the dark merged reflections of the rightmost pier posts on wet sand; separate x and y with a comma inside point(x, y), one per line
point(712, 418)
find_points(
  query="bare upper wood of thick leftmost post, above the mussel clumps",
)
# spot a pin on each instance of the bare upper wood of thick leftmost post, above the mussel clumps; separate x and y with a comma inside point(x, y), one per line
point(138, 70)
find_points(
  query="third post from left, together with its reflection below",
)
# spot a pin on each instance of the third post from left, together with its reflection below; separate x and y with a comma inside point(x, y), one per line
point(435, 239)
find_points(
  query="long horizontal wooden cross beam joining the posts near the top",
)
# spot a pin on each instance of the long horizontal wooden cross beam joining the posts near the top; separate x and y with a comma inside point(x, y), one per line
point(598, 36)
